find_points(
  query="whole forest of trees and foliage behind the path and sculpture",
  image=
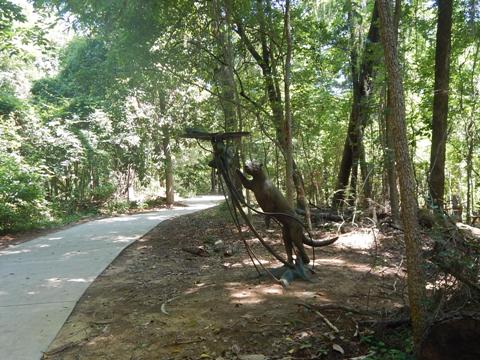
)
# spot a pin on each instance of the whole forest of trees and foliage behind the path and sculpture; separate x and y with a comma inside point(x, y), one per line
point(365, 110)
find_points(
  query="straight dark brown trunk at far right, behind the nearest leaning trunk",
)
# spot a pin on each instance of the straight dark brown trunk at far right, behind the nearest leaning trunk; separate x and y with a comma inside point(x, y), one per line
point(436, 178)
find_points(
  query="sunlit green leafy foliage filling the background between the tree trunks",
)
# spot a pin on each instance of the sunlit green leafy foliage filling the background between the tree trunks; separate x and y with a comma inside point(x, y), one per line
point(93, 128)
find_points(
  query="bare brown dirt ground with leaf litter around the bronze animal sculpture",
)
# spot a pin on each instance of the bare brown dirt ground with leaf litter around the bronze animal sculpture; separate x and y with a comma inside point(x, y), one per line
point(157, 301)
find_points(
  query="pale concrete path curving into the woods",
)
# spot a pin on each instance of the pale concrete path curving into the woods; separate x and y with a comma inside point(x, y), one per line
point(41, 280)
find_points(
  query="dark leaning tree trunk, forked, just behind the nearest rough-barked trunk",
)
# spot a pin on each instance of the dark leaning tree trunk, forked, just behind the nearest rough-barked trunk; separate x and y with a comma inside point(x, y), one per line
point(361, 83)
